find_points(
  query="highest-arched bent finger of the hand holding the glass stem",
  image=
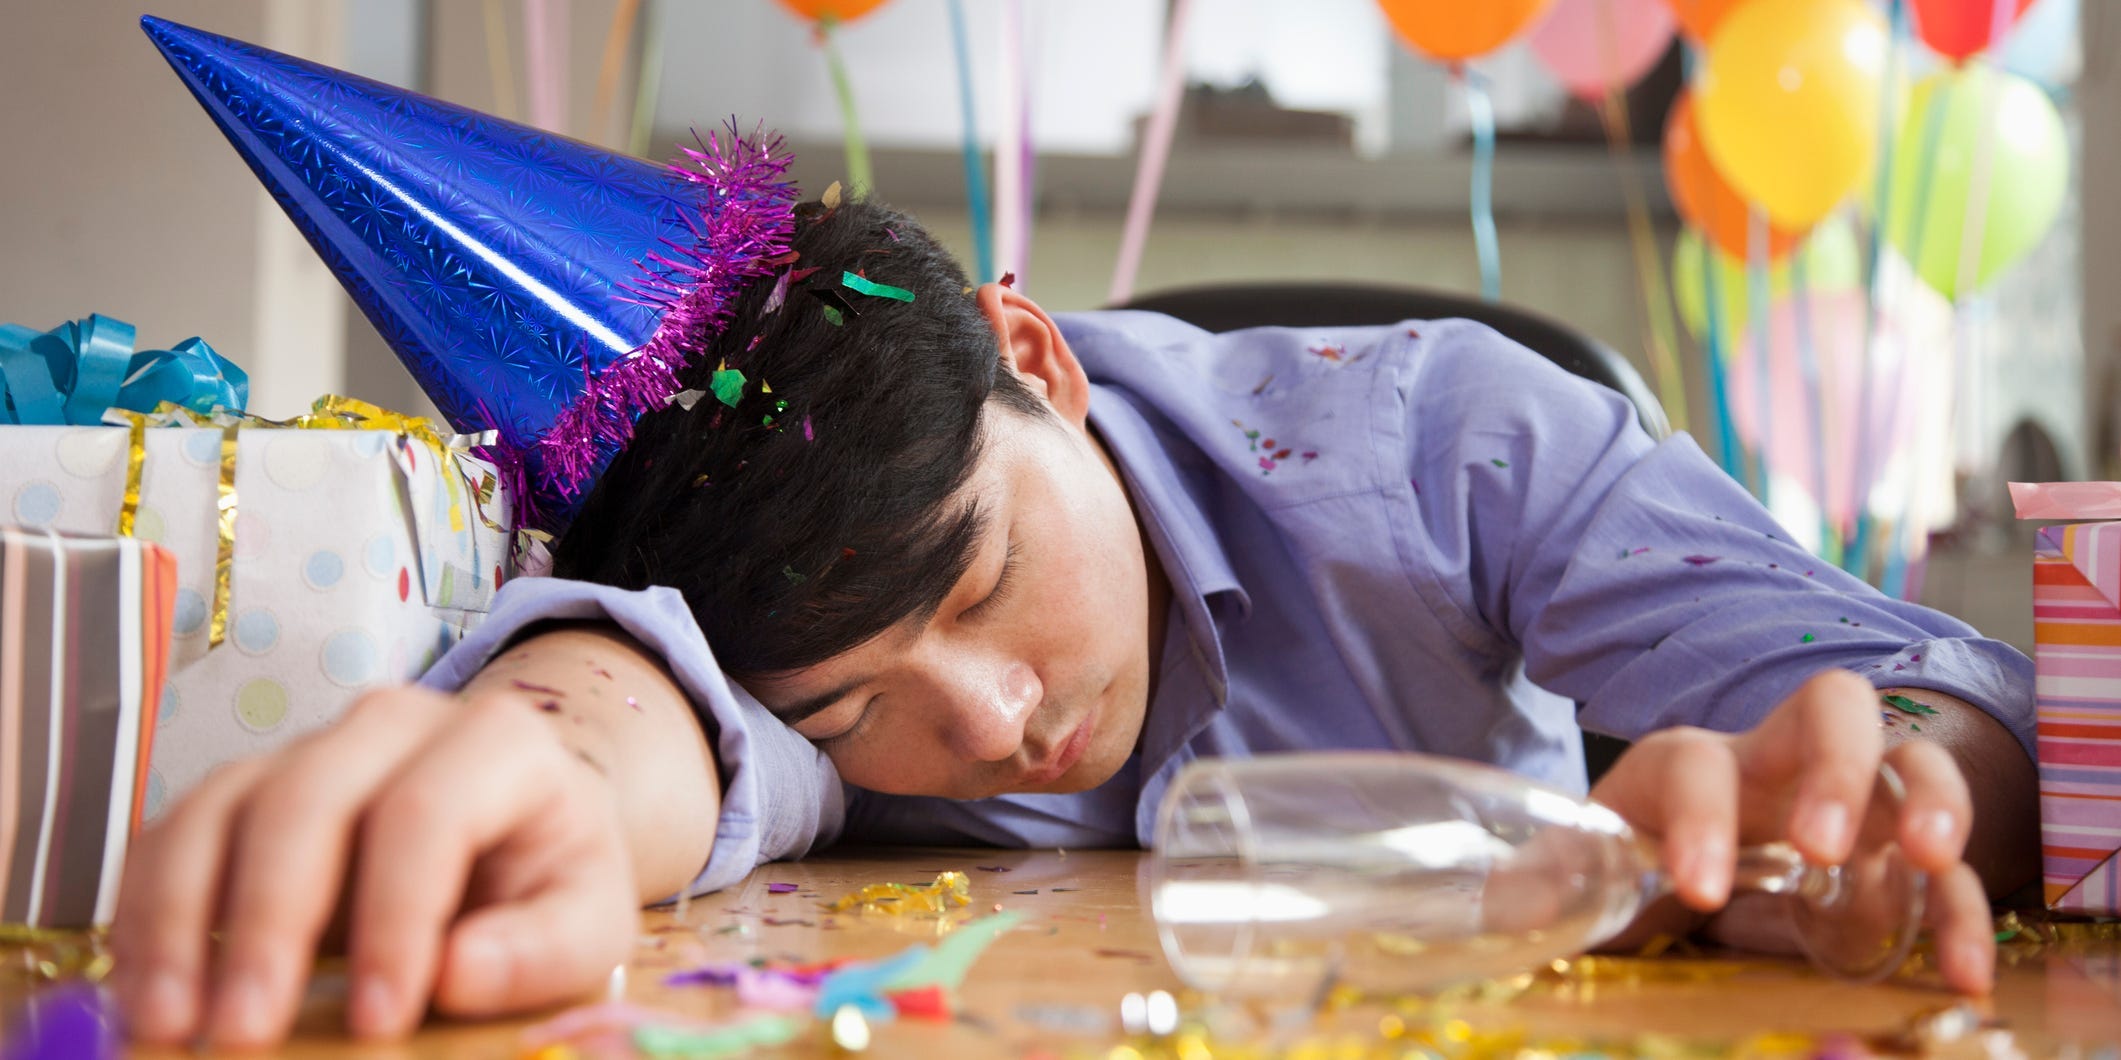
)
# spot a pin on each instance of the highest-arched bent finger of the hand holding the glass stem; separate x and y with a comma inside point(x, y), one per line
point(1825, 741)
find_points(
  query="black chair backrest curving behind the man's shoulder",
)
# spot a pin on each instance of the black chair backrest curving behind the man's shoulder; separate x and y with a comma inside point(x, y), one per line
point(1244, 306)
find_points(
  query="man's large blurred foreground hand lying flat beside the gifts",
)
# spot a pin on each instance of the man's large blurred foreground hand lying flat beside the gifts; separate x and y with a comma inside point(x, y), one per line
point(480, 862)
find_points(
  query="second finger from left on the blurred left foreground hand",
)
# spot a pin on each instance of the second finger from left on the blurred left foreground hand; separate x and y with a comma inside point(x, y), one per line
point(287, 855)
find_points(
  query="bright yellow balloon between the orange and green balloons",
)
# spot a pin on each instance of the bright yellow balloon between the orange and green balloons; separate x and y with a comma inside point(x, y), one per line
point(1789, 103)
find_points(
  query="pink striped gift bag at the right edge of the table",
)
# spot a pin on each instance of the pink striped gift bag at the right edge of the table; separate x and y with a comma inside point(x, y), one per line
point(2078, 652)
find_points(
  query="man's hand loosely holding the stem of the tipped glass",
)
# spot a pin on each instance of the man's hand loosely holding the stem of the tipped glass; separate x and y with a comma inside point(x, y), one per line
point(1806, 775)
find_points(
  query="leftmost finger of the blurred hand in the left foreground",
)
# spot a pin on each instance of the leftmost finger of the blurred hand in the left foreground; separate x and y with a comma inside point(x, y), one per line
point(166, 908)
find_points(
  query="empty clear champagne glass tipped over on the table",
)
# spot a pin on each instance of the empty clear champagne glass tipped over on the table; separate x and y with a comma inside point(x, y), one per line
point(1405, 872)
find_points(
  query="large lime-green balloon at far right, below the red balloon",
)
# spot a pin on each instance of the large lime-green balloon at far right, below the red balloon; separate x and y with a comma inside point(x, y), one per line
point(1955, 120)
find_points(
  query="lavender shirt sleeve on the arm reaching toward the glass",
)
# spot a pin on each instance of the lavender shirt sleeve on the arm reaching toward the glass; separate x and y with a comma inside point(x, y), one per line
point(1638, 578)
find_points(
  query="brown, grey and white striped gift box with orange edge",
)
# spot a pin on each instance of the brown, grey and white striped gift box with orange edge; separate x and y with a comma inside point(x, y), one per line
point(84, 652)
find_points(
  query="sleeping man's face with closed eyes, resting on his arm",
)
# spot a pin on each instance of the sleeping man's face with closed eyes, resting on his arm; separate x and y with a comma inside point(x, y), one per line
point(1034, 675)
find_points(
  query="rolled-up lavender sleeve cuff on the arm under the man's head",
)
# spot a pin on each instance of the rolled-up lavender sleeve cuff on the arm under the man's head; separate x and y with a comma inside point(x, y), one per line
point(779, 796)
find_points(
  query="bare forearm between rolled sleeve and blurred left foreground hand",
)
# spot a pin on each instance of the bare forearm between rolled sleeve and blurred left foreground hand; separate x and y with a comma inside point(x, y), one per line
point(618, 709)
